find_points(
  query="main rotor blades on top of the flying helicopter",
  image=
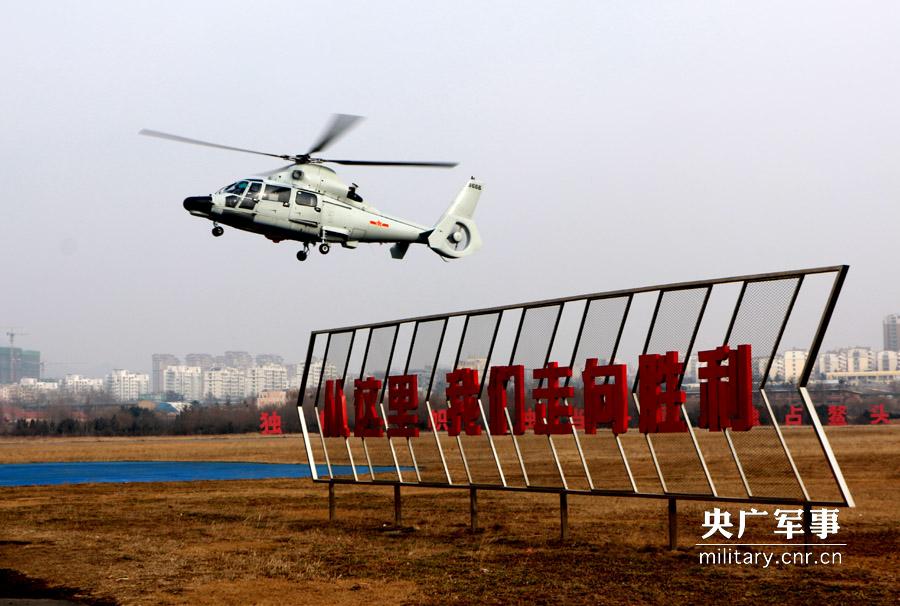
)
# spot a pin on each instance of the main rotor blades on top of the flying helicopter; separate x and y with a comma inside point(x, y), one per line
point(339, 125)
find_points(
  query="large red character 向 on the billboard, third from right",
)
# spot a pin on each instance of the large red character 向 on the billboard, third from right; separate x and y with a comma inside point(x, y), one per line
point(605, 402)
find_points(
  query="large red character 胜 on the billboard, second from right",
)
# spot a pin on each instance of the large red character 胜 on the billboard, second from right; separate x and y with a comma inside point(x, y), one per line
point(660, 410)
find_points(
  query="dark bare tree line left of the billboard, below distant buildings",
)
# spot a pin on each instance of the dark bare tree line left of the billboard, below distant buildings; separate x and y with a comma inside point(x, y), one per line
point(196, 419)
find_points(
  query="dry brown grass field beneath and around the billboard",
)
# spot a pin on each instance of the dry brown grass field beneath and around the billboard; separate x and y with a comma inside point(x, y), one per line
point(270, 542)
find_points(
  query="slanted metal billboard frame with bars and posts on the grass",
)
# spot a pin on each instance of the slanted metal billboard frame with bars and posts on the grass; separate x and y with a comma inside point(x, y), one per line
point(846, 500)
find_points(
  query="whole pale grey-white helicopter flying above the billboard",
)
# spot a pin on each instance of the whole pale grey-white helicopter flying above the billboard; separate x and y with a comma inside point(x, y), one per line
point(307, 202)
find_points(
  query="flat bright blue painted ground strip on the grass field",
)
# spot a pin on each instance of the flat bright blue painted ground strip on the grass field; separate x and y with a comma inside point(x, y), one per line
point(48, 474)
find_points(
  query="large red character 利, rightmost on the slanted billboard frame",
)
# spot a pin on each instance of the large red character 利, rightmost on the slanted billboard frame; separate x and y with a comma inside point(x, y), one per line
point(726, 392)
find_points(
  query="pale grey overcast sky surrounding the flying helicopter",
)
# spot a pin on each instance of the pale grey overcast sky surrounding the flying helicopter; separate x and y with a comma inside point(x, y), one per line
point(621, 143)
